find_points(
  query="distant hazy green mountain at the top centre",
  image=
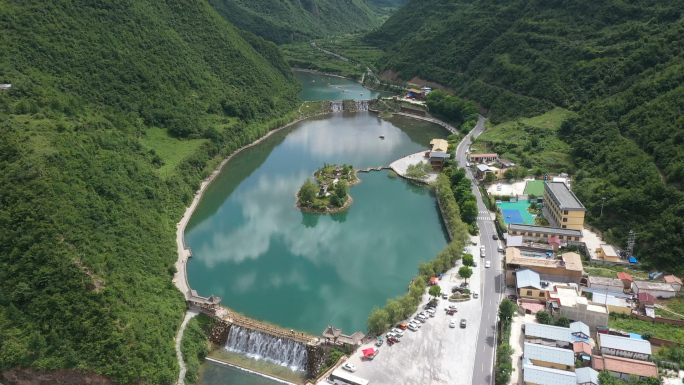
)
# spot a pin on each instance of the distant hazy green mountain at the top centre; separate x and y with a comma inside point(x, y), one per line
point(285, 21)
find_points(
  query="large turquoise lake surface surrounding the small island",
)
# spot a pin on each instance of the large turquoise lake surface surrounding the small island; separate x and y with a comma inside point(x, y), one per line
point(270, 261)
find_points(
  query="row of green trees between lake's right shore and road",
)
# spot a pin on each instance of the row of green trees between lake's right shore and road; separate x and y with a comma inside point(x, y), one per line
point(403, 306)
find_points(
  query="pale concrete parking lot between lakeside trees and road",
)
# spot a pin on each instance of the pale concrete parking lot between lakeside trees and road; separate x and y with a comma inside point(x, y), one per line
point(435, 353)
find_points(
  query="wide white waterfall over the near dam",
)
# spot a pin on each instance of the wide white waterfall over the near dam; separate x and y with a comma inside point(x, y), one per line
point(262, 346)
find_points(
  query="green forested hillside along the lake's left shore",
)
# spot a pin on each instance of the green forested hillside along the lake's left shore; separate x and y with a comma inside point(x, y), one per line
point(87, 220)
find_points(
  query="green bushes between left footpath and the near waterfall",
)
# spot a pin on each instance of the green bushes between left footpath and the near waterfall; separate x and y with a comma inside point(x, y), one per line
point(195, 346)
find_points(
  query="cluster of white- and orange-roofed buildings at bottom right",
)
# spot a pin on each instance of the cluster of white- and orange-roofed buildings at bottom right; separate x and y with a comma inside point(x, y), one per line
point(555, 355)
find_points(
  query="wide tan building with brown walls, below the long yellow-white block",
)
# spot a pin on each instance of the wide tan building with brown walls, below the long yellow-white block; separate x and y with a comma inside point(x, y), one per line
point(567, 269)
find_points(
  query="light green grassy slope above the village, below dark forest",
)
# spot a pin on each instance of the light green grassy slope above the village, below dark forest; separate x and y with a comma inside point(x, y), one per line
point(530, 142)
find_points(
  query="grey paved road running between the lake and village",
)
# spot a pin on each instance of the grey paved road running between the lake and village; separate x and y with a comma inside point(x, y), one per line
point(492, 279)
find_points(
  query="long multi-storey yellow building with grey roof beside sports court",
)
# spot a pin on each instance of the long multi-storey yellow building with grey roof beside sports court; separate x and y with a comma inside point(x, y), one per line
point(561, 206)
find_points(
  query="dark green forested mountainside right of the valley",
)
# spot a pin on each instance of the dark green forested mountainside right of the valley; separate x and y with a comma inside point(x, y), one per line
point(618, 63)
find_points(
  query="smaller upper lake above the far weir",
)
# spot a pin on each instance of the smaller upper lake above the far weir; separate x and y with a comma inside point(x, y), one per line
point(315, 88)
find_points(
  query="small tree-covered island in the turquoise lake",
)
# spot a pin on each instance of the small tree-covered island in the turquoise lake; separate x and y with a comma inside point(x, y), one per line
point(328, 192)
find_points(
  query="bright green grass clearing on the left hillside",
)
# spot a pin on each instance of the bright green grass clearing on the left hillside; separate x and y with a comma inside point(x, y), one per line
point(171, 150)
